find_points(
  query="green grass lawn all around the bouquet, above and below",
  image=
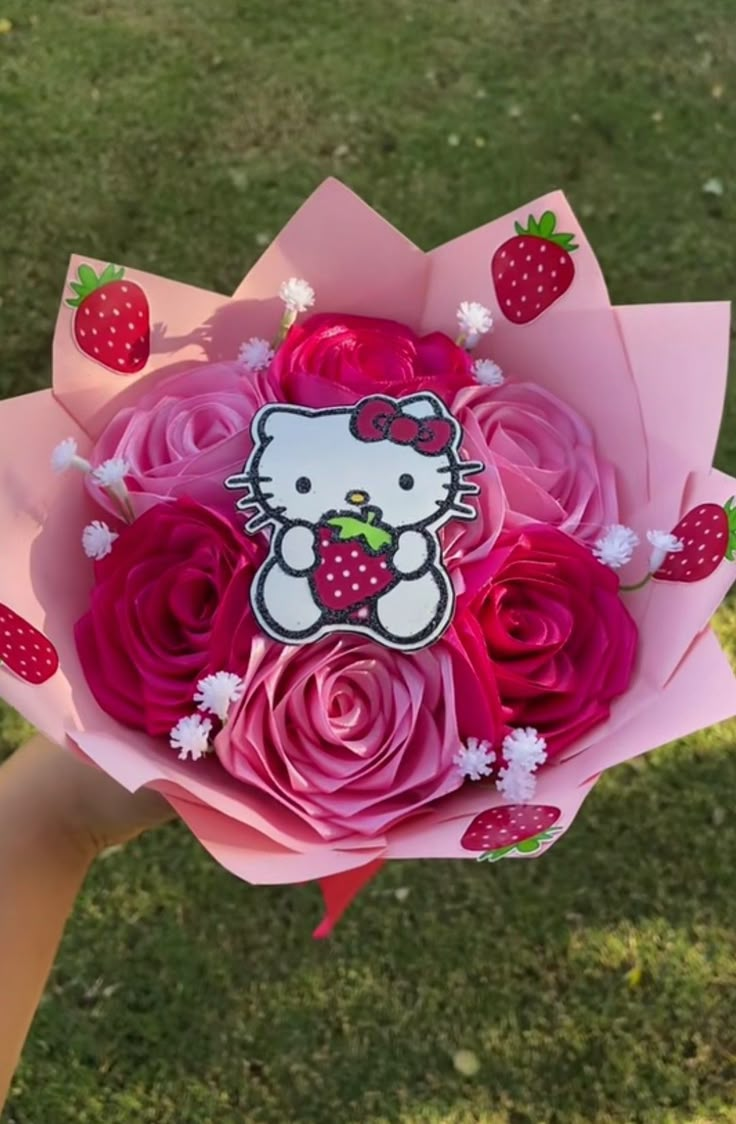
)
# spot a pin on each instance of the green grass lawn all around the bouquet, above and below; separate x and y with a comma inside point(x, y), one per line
point(594, 986)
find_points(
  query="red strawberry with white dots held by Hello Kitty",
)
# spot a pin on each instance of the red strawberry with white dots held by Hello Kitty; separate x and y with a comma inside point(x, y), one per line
point(355, 563)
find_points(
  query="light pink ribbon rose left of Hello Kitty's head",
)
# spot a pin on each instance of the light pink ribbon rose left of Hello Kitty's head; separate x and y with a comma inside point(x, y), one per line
point(186, 436)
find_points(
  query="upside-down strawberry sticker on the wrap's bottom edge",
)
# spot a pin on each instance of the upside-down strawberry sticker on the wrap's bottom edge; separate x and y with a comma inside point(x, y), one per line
point(514, 829)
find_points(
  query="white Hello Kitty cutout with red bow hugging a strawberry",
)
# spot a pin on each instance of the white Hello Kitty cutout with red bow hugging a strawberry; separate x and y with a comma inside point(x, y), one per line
point(356, 496)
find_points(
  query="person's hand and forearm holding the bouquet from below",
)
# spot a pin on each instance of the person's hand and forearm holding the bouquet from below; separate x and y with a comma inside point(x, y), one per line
point(57, 814)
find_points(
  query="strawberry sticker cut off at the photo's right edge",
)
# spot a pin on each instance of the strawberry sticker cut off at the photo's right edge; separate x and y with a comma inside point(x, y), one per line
point(708, 536)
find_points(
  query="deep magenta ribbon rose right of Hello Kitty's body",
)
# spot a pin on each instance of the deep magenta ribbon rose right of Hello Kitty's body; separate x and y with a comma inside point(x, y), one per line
point(557, 631)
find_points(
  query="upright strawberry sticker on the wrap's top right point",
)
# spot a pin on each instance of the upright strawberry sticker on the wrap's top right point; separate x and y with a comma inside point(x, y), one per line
point(532, 270)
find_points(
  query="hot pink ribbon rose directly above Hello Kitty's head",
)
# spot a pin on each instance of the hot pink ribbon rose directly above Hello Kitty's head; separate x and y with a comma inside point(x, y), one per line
point(338, 360)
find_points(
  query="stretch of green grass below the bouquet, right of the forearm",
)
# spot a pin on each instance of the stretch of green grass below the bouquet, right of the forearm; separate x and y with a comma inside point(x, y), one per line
point(592, 985)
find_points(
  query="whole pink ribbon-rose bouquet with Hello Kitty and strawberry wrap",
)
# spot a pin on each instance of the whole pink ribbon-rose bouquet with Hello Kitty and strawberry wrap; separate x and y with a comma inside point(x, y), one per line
point(388, 556)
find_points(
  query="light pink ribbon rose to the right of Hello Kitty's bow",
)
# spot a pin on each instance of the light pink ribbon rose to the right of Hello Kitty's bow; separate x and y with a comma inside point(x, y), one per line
point(546, 457)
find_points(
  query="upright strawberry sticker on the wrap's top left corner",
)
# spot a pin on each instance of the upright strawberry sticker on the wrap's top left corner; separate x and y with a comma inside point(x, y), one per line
point(112, 320)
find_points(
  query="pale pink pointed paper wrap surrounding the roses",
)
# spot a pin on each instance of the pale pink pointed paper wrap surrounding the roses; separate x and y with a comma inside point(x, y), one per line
point(650, 383)
